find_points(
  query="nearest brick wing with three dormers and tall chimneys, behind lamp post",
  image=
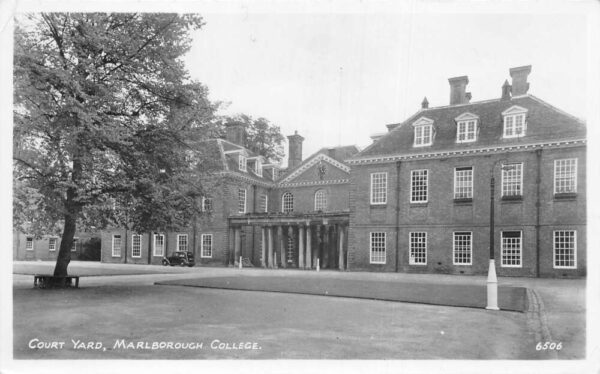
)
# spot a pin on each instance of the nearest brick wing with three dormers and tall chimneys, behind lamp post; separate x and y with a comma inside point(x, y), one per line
point(420, 195)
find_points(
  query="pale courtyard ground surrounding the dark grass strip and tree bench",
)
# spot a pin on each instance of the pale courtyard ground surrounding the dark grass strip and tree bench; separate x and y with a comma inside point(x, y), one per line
point(124, 315)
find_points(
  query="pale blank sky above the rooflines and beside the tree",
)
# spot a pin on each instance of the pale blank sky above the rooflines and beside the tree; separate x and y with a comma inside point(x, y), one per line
point(338, 78)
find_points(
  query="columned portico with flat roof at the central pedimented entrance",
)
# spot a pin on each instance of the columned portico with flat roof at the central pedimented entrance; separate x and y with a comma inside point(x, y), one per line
point(294, 240)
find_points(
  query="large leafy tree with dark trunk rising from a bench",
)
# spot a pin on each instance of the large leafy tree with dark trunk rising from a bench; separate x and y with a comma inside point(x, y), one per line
point(104, 116)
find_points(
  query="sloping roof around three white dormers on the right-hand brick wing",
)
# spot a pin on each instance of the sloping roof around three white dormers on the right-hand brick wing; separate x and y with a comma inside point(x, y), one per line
point(544, 123)
